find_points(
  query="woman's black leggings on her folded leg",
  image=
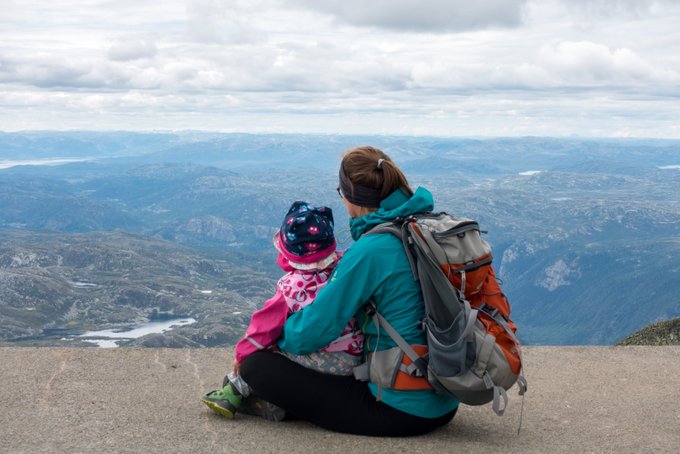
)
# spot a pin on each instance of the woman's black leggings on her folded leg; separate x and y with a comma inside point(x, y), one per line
point(334, 402)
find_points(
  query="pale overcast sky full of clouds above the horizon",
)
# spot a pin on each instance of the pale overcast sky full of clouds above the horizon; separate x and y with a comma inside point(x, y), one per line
point(435, 67)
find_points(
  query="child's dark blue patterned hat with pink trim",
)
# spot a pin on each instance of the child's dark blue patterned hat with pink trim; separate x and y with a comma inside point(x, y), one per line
point(306, 234)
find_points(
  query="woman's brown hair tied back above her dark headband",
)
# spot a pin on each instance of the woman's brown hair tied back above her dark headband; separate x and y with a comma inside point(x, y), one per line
point(372, 168)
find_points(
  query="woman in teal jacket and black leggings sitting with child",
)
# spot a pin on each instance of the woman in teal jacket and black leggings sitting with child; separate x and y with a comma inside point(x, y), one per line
point(375, 268)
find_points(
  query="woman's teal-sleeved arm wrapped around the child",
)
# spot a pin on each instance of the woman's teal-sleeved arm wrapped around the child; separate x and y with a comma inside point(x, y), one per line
point(351, 285)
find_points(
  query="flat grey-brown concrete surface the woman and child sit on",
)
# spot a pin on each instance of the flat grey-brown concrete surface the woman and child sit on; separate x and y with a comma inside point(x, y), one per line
point(580, 399)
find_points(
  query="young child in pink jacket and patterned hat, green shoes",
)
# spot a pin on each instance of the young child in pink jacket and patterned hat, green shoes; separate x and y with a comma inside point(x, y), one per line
point(307, 252)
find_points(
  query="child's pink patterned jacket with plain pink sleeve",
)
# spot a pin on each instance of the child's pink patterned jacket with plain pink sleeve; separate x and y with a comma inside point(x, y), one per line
point(294, 291)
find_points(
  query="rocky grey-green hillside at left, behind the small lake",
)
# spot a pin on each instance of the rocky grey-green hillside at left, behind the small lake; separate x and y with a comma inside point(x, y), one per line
point(54, 287)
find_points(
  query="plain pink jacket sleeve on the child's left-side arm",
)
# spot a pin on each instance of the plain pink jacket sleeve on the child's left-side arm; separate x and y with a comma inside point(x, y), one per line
point(265, 327)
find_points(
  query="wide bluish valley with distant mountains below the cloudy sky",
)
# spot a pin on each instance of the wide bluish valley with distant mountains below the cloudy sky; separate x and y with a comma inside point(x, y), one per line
point(586, 233)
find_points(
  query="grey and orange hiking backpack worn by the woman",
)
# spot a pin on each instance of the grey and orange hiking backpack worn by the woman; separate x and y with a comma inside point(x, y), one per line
point(472, 352)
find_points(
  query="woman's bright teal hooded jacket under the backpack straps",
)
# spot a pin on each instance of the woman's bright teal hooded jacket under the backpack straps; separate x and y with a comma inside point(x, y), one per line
point(374, 267)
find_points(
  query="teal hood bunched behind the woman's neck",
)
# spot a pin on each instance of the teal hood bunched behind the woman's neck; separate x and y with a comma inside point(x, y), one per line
point(397, 204)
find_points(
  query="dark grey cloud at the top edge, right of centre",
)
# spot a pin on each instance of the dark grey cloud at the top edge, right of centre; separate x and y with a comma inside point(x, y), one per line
point(423, 15)
